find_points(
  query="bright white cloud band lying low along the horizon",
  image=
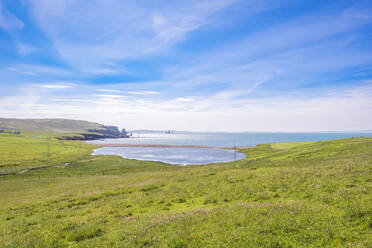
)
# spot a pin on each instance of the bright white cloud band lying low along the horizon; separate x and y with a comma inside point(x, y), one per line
point(334, 110)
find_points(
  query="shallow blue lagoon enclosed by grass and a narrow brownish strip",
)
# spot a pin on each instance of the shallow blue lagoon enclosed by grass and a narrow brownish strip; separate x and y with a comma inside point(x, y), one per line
point(180, 156)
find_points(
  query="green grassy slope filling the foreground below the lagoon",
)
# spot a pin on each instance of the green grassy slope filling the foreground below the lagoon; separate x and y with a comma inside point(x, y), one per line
point(315, 194)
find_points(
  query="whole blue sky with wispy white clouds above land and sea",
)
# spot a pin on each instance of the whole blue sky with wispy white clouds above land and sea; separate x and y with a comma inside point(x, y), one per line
point(196, 65)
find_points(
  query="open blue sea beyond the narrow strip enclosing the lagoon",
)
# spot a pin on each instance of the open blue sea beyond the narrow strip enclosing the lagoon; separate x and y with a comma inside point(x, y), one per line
point(224, 139)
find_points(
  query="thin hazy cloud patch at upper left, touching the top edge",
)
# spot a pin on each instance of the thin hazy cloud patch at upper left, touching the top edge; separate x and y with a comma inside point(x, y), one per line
point(114, 30)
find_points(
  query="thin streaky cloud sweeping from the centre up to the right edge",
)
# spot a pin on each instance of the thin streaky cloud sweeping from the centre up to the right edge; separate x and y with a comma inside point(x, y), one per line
point(285, 53)
